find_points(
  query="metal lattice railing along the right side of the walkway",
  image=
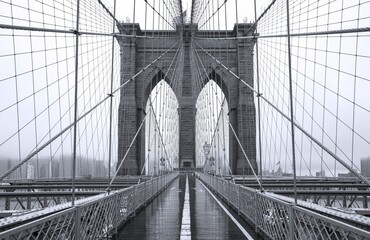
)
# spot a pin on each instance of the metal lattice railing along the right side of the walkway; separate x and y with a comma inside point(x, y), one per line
point(279, 219)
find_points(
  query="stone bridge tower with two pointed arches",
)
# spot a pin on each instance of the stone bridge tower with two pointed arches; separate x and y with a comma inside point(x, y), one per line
point(138, 52)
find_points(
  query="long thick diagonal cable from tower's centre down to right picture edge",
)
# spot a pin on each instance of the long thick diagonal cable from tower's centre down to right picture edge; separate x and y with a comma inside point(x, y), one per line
point(327, 150)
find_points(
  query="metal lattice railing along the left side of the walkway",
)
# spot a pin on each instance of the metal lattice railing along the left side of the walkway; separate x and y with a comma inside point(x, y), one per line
point(93, 219)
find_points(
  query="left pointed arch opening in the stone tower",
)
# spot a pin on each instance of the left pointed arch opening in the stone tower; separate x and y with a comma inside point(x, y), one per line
point(161, 130)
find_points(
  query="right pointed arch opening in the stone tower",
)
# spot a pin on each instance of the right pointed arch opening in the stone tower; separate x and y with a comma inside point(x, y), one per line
point(211, 130)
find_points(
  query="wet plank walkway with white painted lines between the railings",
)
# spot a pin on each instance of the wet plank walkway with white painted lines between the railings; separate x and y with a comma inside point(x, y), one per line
point(163, 217)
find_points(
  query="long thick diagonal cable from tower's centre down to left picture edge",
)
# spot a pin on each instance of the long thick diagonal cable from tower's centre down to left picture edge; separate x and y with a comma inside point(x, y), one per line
point(37, 150)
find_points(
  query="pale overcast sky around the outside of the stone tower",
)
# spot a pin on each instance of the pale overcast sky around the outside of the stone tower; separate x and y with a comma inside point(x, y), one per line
point(330, 74)
